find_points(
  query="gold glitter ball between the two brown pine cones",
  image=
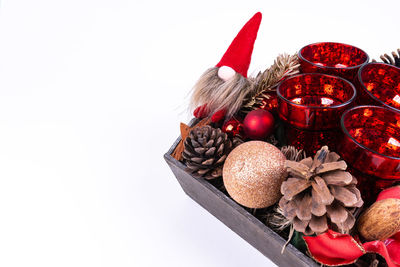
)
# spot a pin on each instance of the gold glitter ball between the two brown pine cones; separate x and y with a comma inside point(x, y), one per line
point(253, 173)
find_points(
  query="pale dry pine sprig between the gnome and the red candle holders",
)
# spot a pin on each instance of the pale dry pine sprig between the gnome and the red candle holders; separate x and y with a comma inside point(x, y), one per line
point(267, 81)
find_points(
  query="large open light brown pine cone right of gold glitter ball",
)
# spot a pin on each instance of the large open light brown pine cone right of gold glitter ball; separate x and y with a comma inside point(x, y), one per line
point(319, 194)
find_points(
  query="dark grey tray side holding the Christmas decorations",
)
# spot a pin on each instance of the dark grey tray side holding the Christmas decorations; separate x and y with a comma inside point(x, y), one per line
point(237, 218)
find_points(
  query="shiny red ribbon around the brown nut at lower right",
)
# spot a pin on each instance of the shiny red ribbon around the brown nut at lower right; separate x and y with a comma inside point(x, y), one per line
point(333, 249)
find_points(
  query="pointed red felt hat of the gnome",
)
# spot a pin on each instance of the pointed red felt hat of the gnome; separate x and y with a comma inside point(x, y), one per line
point(238, 55)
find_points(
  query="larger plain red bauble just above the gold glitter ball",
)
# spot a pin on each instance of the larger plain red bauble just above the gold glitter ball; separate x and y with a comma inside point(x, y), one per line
point(258, 124)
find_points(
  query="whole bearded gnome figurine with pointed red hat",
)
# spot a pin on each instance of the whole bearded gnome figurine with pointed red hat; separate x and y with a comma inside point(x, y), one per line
point(220, 91)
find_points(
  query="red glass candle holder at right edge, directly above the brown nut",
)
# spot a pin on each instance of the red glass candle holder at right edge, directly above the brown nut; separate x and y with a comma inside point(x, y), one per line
point(371, 141)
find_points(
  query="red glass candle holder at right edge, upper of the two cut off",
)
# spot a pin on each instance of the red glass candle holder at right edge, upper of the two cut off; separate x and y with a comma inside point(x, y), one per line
point(379, 84)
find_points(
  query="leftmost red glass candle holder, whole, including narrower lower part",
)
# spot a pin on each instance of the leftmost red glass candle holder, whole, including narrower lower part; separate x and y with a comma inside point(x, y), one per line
point(311, 105)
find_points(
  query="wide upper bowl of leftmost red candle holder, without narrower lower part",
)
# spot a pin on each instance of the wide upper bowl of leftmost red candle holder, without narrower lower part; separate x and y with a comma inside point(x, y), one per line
point(327, 95)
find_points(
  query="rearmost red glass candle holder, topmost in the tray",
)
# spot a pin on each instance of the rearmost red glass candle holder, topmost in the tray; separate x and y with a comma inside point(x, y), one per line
point(332, 58)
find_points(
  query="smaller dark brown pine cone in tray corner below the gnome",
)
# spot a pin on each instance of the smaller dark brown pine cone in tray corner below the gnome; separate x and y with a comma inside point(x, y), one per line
point(205, 150)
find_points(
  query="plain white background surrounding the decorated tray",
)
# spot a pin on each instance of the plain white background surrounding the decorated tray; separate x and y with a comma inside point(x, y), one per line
point(91, 96)
